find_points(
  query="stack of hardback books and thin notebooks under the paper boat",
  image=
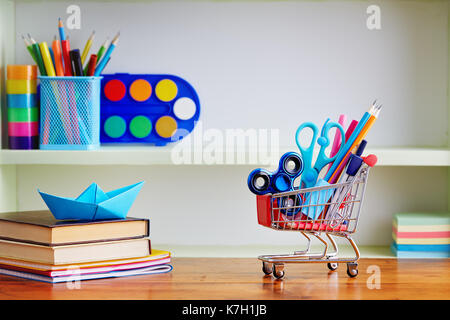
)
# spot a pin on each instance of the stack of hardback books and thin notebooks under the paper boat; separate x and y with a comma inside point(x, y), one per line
point(34, 245)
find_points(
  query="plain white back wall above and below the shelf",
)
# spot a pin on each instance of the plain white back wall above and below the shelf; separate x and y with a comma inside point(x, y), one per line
point(265, 65)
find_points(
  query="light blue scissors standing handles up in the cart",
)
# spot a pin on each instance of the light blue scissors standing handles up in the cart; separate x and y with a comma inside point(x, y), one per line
point(310, 172)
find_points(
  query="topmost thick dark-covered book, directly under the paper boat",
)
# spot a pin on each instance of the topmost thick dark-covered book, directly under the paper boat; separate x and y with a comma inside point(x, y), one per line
point(40, 227)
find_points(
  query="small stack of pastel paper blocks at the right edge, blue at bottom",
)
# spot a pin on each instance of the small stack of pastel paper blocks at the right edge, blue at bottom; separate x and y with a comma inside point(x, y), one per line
point(421, 235)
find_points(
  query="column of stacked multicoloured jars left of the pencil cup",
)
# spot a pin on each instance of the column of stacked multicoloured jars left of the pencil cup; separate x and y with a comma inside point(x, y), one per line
point(22, 106)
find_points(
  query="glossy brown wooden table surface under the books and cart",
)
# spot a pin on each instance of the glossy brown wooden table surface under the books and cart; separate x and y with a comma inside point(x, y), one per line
point(239, 278)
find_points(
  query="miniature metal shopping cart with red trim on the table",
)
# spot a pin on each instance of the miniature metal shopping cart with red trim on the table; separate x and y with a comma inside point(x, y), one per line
point(332, 210)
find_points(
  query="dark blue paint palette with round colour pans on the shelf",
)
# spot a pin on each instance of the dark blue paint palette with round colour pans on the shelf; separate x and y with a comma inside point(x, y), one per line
point(147, 108)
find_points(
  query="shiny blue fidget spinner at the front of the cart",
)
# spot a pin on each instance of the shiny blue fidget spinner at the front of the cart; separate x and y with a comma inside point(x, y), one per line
point(261, 181)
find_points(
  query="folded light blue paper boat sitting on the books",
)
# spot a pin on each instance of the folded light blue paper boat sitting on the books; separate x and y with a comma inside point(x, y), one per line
point(93, 203)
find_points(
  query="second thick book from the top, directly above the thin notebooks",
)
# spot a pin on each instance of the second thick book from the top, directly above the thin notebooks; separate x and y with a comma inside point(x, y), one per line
point(77, 253)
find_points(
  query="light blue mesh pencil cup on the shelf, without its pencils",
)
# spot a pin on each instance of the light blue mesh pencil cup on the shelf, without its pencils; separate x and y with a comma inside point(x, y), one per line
point(70, 113)
